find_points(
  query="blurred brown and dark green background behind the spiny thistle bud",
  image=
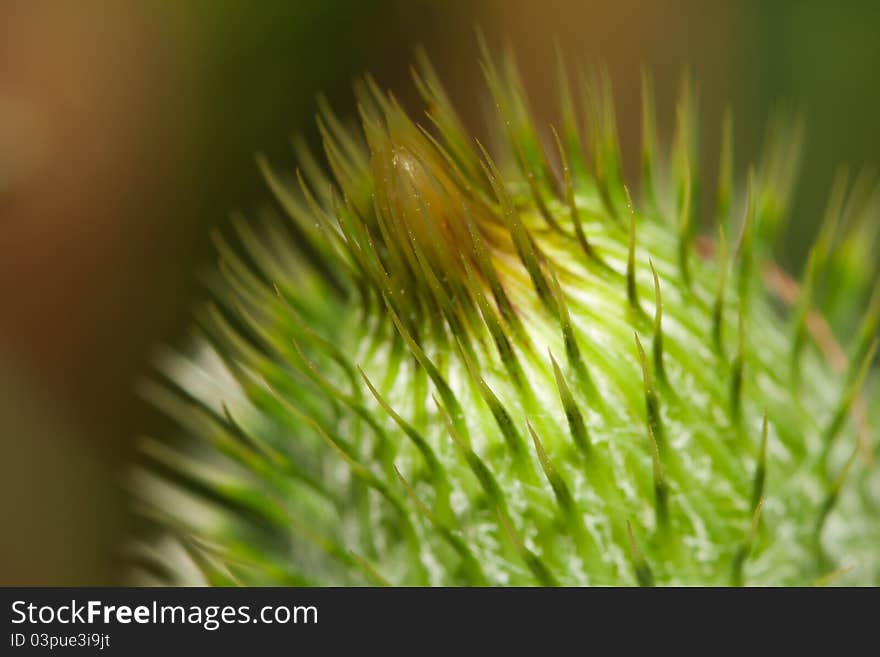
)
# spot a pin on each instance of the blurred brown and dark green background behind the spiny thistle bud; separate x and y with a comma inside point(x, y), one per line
point(129, 129)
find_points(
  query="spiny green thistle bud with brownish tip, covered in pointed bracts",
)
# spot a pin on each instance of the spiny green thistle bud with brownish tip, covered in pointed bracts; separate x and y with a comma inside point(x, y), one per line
point(451, 367)
